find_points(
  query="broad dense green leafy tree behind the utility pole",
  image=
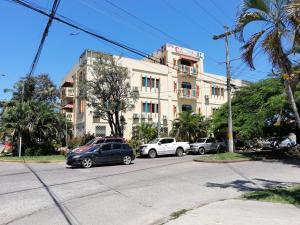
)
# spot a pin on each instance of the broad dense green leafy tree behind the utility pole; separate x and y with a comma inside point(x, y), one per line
point(259, 110)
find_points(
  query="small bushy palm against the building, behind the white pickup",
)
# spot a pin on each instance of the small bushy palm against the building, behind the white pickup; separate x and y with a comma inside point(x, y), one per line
point(189, 126)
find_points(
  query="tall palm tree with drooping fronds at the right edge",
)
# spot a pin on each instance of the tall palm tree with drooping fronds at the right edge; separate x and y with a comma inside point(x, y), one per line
point(278, 36)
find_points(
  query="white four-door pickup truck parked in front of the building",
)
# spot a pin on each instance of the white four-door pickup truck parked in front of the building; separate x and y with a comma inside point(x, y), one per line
point(164, 146)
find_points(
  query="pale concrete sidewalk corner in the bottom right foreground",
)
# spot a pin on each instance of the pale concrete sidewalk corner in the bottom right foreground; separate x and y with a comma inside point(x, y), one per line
point(240, 212)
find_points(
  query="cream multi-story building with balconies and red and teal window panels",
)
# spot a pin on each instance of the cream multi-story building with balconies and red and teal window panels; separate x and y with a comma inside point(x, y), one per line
point(177, 83)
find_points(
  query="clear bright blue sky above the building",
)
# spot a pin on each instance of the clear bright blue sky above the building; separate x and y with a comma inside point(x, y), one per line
point(189, 23)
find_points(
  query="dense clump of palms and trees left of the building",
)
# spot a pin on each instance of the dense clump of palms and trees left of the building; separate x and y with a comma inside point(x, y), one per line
point(32, 116)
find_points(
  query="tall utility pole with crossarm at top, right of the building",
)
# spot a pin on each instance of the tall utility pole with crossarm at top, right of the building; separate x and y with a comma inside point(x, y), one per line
point(228, 78)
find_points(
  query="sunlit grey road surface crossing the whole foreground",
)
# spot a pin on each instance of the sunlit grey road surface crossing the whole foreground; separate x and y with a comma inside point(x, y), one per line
point(145, 192)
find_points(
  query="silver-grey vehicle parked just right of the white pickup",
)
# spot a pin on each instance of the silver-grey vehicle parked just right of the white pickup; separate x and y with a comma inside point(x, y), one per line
point(203, 145)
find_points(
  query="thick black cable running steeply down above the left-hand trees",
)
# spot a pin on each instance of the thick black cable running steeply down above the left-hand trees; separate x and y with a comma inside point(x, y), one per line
point(45, 34)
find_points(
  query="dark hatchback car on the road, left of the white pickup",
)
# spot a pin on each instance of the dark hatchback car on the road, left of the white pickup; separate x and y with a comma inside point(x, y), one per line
point(103, 153)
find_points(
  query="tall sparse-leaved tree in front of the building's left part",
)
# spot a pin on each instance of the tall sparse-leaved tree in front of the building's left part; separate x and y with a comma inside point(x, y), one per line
point(108, 91)
